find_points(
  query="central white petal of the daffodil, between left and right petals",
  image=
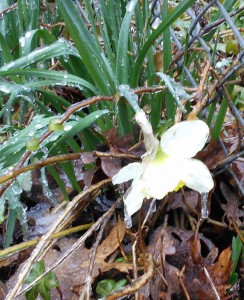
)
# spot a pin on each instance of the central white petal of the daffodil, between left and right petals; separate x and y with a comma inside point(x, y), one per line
point(161, 178)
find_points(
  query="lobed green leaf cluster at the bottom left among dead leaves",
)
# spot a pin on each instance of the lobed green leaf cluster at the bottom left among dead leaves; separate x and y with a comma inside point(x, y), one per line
point(43, 286)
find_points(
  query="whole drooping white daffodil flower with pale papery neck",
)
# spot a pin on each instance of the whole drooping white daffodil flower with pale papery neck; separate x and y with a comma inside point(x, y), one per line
point(168, 165)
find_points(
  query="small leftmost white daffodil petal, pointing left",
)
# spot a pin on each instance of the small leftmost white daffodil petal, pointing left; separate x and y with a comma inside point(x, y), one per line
point(127, 173)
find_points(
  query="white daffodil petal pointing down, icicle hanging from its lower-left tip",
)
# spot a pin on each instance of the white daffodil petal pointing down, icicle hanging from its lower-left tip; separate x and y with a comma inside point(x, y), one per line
point(134, 197)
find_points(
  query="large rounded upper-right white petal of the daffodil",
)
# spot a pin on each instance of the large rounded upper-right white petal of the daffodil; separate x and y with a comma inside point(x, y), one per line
point(185, 139)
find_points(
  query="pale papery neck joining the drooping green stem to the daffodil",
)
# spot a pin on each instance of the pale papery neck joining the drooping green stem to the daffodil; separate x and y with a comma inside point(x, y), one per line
point(151, 143)
